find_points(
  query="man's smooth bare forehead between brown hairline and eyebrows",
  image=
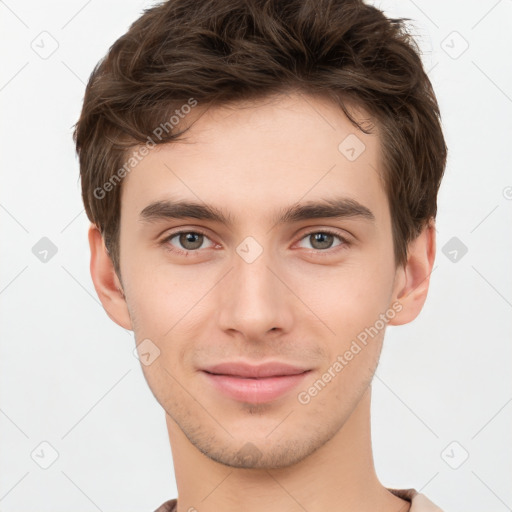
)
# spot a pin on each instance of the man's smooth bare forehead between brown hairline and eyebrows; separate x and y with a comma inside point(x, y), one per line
point(257, 158)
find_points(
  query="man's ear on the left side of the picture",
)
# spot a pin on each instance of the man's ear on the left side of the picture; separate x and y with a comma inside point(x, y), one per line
point(107, 284)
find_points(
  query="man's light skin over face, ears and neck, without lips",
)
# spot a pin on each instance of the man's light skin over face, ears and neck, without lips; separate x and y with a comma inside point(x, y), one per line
point(302, 301)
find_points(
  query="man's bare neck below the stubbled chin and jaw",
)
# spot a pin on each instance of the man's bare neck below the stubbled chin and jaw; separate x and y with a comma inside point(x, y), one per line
point(338, 476)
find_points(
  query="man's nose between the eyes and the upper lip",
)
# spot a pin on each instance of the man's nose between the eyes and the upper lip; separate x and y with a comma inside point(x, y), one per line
point(254, 299)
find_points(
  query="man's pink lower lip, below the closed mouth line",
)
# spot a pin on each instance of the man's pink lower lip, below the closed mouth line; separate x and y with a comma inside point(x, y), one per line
point(255, 391)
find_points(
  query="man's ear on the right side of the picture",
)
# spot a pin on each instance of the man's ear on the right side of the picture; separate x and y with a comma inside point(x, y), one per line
point(413, 278)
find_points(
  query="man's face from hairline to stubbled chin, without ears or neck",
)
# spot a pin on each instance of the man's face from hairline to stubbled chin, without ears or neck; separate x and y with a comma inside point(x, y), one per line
point(302, 291)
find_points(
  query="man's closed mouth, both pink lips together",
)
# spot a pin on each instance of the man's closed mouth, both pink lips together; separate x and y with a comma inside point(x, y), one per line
point(254, 384)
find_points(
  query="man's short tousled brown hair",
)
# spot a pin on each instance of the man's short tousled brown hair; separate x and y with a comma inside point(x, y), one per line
point(219, 51)
